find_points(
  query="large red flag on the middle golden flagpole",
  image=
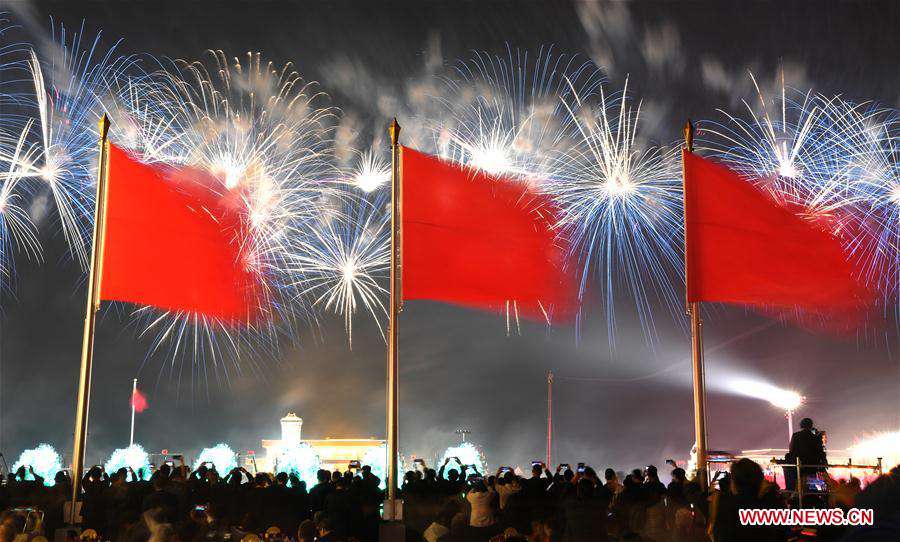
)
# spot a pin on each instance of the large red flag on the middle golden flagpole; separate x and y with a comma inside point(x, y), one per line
point(480, 241)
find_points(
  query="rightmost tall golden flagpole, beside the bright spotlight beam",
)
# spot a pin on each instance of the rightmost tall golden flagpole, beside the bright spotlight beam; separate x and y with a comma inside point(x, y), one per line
point(693, 310)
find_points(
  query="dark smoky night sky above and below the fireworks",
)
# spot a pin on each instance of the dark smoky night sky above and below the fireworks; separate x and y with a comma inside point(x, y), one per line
point(621, 407)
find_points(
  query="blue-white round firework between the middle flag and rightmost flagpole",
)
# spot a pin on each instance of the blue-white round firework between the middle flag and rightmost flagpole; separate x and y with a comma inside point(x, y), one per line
point(620, 202)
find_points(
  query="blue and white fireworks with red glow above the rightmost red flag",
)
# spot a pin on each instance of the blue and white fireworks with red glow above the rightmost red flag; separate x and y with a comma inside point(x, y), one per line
point(831, 160)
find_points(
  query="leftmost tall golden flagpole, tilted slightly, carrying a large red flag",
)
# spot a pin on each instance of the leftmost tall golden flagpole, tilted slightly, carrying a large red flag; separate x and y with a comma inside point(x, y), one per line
point(93, 304)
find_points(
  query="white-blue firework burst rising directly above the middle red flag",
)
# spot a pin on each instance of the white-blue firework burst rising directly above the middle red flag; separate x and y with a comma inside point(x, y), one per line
point(504, 115)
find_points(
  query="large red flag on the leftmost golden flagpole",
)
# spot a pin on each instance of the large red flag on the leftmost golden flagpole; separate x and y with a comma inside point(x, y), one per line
point(173, 241)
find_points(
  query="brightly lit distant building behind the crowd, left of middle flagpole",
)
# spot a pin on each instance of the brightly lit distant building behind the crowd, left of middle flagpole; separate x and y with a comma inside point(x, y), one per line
point(334, 453)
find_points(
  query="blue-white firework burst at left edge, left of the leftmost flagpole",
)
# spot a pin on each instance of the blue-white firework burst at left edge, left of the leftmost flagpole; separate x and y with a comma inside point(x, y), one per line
point(48, 144)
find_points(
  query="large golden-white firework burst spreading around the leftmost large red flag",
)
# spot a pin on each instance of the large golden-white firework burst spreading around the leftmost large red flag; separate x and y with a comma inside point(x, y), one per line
point(258, 129)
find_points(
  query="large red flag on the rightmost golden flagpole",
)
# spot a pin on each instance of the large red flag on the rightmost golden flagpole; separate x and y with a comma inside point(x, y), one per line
point(745, 248)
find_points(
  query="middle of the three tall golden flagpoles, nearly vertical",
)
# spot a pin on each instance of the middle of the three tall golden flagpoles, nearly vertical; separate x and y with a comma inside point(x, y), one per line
point(392, 507)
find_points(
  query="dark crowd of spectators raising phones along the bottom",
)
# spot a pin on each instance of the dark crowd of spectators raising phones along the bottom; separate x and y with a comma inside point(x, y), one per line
point(453, 503)
